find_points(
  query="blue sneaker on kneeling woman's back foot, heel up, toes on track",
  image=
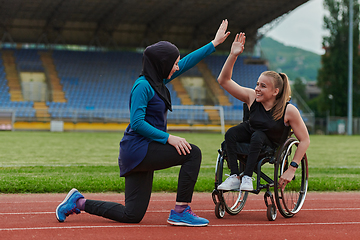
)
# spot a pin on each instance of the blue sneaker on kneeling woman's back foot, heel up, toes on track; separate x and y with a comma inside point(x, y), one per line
point(68, 206)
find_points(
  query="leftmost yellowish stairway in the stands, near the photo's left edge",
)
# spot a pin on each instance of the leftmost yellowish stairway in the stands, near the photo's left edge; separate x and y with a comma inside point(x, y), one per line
point(12, 76)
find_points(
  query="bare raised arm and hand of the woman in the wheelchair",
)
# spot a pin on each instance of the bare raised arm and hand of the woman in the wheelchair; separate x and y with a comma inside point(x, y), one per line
point(244, 94)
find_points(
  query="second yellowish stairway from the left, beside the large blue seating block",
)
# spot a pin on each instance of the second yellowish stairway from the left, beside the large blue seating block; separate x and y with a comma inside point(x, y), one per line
point(58, 94)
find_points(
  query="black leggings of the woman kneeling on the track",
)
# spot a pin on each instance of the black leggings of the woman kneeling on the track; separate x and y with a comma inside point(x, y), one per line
point(138, 183)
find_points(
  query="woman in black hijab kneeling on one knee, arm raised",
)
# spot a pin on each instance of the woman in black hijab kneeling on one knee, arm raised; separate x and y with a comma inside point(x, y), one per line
point(146, 146)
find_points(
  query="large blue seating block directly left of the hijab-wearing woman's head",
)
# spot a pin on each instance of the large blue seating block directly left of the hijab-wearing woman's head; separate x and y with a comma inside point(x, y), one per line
point(95, 80)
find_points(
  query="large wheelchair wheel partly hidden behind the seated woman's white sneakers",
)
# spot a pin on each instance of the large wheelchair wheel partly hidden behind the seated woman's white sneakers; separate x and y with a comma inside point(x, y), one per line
point(234, 200)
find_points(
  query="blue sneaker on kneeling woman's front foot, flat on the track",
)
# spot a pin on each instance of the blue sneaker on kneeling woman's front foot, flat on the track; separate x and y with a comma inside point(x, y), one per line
point(186, 218)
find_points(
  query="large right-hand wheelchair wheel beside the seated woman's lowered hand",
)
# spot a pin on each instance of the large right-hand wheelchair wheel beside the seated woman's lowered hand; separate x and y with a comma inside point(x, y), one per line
point(290, 200)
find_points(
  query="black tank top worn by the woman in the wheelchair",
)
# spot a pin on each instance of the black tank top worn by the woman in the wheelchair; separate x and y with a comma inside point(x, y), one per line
point(262, 120)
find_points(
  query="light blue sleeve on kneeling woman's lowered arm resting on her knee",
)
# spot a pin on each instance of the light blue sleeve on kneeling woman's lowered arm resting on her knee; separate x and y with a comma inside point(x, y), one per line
point(141, 94)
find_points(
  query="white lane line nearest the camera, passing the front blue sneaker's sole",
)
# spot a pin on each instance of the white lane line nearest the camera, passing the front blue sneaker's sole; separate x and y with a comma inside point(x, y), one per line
point(161, 226)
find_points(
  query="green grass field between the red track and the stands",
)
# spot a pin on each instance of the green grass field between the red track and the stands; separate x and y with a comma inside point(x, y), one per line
point(39, 162)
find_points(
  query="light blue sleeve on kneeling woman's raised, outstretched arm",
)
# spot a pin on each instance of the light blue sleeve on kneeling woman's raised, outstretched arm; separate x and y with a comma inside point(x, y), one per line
point(192, 59)
